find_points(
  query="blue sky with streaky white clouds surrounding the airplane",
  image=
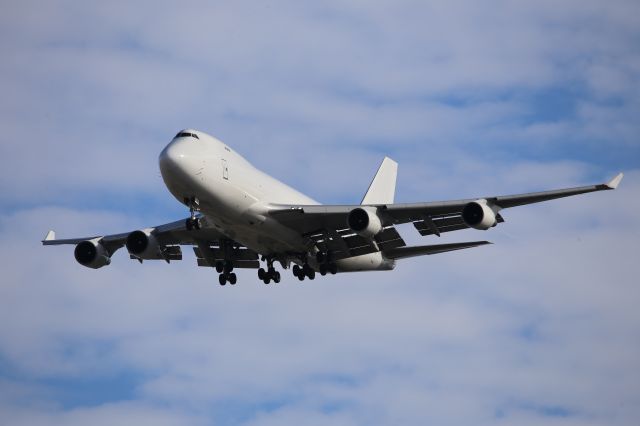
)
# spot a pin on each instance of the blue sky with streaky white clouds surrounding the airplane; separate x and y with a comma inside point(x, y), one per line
point(470, 98)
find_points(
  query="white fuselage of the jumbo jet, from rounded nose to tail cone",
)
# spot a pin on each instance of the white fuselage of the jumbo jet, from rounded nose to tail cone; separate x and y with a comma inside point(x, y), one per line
point(235, 197)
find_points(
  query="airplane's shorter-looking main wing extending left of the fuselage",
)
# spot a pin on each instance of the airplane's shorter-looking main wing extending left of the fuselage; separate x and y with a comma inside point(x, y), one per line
point(164, 241)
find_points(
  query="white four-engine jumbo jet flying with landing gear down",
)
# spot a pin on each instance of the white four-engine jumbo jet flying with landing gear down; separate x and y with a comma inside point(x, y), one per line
point(240, 215)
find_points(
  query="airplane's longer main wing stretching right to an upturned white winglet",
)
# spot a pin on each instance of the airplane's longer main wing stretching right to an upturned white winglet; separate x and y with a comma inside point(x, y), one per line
point(328, 224)
